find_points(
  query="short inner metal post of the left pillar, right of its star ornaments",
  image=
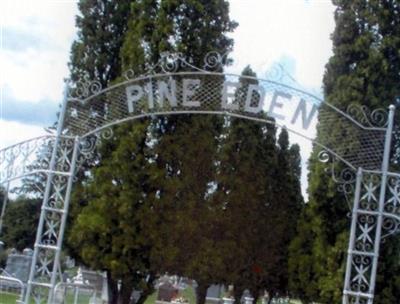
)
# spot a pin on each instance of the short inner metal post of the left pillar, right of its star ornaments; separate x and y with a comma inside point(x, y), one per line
point(57, 264)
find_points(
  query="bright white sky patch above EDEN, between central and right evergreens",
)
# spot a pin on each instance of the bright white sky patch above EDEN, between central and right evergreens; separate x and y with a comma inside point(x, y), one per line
point(271, 29)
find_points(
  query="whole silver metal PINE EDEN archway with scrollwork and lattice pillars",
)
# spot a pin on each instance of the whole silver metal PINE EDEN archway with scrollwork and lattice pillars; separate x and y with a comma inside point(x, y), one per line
point(362, 144)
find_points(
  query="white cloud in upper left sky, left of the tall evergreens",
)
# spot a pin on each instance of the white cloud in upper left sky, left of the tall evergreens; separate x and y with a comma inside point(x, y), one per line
point(37, 72)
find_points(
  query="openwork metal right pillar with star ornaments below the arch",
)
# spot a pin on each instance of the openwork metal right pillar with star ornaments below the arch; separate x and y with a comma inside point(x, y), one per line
point(367, 232)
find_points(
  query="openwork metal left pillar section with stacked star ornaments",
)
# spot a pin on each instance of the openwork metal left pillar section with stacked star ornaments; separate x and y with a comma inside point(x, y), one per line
point(53, 213)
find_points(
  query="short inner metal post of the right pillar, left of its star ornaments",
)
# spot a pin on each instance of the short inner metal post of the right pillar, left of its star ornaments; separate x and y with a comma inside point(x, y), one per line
point(354, 219)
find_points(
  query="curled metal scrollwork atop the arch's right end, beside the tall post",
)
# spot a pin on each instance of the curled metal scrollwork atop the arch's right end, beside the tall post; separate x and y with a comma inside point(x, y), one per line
point(362, 114)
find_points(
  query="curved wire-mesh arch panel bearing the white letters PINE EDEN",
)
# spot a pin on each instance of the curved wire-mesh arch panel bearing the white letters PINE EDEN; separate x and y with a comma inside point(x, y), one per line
point(352, 135)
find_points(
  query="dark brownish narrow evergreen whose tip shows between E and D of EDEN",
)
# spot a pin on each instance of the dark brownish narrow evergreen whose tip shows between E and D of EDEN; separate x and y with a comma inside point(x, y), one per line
point(241, 197)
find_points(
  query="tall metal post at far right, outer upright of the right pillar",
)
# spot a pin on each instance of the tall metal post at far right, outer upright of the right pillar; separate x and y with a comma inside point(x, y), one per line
point(385, 166)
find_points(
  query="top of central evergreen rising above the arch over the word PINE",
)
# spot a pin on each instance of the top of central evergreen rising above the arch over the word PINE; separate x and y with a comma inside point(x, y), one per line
point(192, 27)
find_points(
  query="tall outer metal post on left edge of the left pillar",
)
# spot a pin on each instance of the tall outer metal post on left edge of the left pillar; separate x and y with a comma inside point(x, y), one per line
point(46, 196)
